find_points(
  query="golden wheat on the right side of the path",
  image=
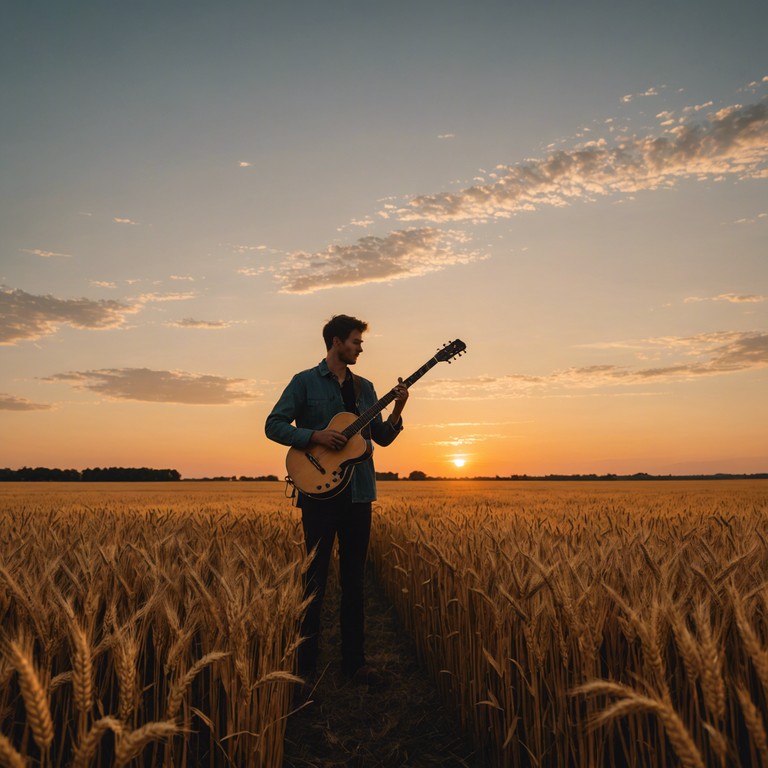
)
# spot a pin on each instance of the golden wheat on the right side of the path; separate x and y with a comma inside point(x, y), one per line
point(591, 624)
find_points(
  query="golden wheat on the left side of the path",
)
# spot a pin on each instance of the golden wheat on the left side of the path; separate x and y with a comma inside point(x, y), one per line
point(152, 623)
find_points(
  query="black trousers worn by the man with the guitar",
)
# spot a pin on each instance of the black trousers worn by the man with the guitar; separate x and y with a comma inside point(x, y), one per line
point(323, 521)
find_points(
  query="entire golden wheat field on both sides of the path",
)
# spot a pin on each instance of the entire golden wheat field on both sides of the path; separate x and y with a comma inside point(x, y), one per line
point(587, 624)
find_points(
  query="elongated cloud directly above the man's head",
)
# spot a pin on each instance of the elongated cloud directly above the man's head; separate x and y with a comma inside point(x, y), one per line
point(400, 254)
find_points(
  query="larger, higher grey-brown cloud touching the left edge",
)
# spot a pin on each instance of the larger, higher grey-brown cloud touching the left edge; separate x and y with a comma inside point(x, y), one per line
point(24, 316)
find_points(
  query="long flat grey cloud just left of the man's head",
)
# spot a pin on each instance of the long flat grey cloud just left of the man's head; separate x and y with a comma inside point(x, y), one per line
point(145, 385)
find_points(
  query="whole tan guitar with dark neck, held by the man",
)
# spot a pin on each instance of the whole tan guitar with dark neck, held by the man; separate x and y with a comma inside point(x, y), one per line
point(321, 472)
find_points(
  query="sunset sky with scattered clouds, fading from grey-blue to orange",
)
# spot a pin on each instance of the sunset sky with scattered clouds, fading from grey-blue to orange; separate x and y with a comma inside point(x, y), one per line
point(578, 191)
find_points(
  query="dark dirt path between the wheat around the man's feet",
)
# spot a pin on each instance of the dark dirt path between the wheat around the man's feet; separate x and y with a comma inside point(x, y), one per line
point(402, 724)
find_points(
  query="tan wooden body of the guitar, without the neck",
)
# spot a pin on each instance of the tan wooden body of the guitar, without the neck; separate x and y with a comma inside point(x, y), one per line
point(322, 473)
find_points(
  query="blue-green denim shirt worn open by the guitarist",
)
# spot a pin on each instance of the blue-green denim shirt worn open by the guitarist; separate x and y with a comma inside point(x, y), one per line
point(311, 399)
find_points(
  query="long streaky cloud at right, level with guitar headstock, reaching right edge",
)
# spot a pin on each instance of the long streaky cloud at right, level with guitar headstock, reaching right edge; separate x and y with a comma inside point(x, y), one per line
point(712, 354)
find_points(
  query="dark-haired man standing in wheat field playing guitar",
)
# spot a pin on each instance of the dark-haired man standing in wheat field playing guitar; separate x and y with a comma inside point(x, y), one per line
point(299, 419)
